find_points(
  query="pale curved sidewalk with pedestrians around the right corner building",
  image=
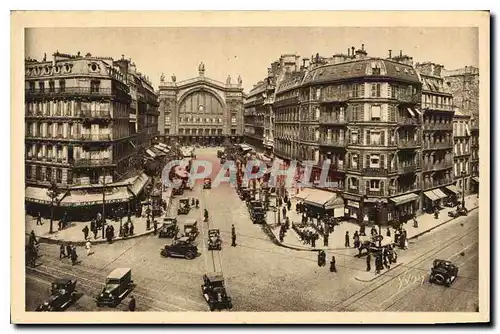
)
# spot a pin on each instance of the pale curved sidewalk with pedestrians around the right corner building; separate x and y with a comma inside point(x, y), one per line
point(336, 241)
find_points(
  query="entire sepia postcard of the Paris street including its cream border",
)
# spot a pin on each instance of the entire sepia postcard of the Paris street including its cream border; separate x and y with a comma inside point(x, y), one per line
point(306, 171)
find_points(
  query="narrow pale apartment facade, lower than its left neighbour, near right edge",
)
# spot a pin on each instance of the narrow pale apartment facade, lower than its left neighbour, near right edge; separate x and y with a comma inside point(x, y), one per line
point(462, 152)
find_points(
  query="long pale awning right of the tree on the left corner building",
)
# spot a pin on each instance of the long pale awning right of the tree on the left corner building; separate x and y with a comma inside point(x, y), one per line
point(81, 198)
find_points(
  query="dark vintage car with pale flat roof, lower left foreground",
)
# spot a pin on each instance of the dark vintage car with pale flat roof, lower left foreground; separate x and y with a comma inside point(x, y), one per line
point(118, 284)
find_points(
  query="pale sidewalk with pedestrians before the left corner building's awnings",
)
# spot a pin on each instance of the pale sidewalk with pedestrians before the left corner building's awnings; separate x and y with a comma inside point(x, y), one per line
point(73, 233)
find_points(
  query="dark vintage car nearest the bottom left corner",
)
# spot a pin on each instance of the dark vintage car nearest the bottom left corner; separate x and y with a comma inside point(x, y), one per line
point(62, 294)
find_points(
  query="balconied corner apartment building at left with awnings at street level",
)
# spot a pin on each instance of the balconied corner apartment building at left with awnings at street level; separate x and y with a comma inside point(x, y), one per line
point(78, 133)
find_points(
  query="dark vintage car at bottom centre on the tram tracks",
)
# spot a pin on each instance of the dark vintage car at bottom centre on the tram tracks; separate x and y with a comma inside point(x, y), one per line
point(214, 292)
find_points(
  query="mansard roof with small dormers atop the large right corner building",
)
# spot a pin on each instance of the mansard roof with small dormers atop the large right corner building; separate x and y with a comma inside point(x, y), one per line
point(361, 68)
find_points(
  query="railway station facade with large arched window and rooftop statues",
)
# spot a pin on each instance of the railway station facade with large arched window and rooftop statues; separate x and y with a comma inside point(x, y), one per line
point(201, 110)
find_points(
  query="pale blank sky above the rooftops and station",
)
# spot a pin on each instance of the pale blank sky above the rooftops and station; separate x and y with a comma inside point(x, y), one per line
point(249, 51)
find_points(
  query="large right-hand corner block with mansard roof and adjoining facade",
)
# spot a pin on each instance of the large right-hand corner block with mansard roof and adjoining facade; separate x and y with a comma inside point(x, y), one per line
point(363, 115)
